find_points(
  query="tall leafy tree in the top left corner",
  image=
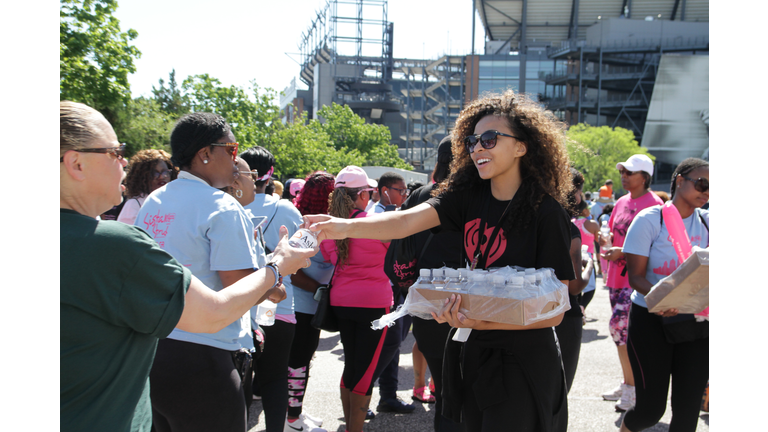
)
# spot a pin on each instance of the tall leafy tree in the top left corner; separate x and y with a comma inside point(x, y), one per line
point(95, 56)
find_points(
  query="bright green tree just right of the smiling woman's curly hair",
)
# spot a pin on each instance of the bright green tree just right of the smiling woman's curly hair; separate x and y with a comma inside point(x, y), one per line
point(595, 151)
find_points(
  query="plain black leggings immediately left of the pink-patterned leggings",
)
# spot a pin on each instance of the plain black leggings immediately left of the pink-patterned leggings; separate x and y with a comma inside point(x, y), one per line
point(272, 373)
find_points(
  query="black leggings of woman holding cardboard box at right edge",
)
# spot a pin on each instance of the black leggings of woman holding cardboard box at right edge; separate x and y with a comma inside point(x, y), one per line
point(653, 361)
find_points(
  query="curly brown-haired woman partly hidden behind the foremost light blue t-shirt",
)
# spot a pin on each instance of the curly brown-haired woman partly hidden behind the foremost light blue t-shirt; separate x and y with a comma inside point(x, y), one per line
point(147, 170)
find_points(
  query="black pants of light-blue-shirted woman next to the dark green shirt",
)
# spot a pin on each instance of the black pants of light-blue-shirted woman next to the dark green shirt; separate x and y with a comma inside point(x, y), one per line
point(195, 388)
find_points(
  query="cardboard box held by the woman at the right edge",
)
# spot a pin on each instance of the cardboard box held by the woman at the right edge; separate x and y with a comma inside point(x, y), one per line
point(686, 289)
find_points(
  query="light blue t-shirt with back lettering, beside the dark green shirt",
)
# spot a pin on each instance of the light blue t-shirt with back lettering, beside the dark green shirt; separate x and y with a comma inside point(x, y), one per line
point(207, 231)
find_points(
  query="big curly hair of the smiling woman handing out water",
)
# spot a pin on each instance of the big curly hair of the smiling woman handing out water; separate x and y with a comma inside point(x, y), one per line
point(545, 167)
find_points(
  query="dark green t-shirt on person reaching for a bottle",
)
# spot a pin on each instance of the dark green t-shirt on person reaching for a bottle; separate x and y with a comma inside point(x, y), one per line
point(120, 293)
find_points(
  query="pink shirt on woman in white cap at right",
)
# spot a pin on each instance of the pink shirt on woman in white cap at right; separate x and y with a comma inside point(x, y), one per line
point(623, 214)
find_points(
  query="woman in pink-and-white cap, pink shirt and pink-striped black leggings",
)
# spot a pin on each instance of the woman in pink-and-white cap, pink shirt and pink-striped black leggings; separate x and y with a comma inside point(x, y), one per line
point(360, 293)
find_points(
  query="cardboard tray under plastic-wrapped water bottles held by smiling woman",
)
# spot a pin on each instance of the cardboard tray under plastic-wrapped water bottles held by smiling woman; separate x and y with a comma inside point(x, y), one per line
point(502, 310)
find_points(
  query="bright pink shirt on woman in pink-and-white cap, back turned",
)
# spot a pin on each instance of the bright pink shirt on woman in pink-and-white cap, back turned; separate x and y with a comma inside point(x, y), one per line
point(361, 281)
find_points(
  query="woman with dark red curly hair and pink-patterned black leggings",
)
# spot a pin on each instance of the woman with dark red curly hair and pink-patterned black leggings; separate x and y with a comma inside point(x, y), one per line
point(313, 199)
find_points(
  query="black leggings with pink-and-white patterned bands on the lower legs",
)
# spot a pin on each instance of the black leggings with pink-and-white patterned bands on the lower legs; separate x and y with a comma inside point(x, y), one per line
point(305, 341)
